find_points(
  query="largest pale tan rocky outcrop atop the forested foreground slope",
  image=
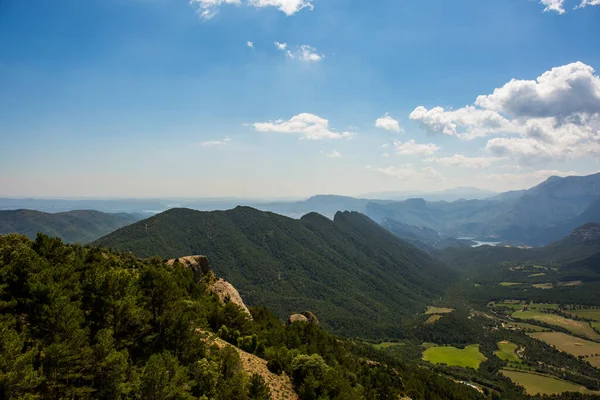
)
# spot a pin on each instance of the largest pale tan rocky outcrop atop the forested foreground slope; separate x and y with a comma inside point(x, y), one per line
point(203, 273)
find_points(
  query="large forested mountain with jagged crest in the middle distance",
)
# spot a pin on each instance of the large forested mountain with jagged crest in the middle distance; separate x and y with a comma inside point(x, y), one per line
point(360, 279)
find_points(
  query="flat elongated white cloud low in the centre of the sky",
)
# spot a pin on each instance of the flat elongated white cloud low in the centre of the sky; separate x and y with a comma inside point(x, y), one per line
point(309, 126)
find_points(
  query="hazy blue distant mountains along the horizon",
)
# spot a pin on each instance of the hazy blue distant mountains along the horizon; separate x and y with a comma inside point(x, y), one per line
point(535, 217)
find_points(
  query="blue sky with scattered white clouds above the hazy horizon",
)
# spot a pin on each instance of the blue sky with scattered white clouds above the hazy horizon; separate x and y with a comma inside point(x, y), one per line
point(291, 98)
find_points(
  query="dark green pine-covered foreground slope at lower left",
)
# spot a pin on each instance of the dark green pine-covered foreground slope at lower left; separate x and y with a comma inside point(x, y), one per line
point(81, 322)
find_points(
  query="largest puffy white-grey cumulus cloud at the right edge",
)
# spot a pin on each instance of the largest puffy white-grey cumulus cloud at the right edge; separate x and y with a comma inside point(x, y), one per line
point(554, 117)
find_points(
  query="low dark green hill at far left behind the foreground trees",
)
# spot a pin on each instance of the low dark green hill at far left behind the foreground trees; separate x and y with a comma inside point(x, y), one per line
point(81, 226)
